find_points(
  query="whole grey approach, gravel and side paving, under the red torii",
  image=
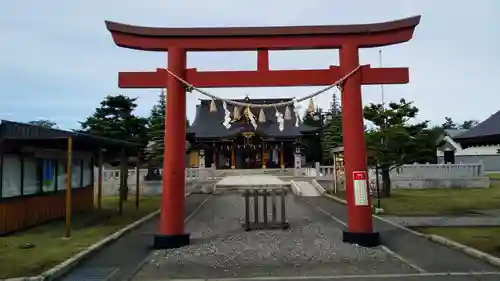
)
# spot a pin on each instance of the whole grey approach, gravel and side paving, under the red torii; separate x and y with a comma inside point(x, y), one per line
point(312, 247)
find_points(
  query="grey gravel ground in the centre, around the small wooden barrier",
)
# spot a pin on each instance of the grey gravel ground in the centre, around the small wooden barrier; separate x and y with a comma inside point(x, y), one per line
point(311, 247)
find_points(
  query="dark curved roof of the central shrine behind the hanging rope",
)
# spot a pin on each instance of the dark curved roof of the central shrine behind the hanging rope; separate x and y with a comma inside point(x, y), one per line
point(210, 124)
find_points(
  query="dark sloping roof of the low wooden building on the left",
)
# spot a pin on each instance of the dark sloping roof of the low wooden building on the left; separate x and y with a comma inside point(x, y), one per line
point(22, 131)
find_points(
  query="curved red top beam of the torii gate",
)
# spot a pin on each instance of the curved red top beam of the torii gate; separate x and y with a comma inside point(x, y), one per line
point(271, 38)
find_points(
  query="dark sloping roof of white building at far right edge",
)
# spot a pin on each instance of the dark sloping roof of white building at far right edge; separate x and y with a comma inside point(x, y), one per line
point(486, 132)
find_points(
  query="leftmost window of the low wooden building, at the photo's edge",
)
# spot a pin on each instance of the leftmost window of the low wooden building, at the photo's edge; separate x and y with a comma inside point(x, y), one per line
point(11, 176)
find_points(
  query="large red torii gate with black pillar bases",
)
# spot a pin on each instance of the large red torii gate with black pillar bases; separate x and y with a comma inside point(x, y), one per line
point(347, 38)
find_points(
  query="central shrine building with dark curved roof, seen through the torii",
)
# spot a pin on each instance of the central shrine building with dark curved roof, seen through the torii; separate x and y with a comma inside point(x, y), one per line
point(241, 137)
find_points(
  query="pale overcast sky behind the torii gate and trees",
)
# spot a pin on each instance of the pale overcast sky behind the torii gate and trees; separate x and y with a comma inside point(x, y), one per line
point(58, 61)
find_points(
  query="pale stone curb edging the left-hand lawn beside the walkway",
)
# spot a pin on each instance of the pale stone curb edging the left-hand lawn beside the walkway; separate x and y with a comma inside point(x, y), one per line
point(67, 265)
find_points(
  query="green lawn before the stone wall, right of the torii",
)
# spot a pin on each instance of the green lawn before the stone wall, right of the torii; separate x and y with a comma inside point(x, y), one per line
point(429, 202)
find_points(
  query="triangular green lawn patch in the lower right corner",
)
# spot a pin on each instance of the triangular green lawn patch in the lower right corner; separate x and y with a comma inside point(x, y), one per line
point(486, 239)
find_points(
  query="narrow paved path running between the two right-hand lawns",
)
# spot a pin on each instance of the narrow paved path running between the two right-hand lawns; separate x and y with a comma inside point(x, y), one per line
point(446, 221)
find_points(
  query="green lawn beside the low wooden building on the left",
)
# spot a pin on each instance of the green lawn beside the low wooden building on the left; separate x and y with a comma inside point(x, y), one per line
point(49, 249)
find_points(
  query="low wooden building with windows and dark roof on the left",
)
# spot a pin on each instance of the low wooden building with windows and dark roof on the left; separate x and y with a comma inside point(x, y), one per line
point(33, 172)
